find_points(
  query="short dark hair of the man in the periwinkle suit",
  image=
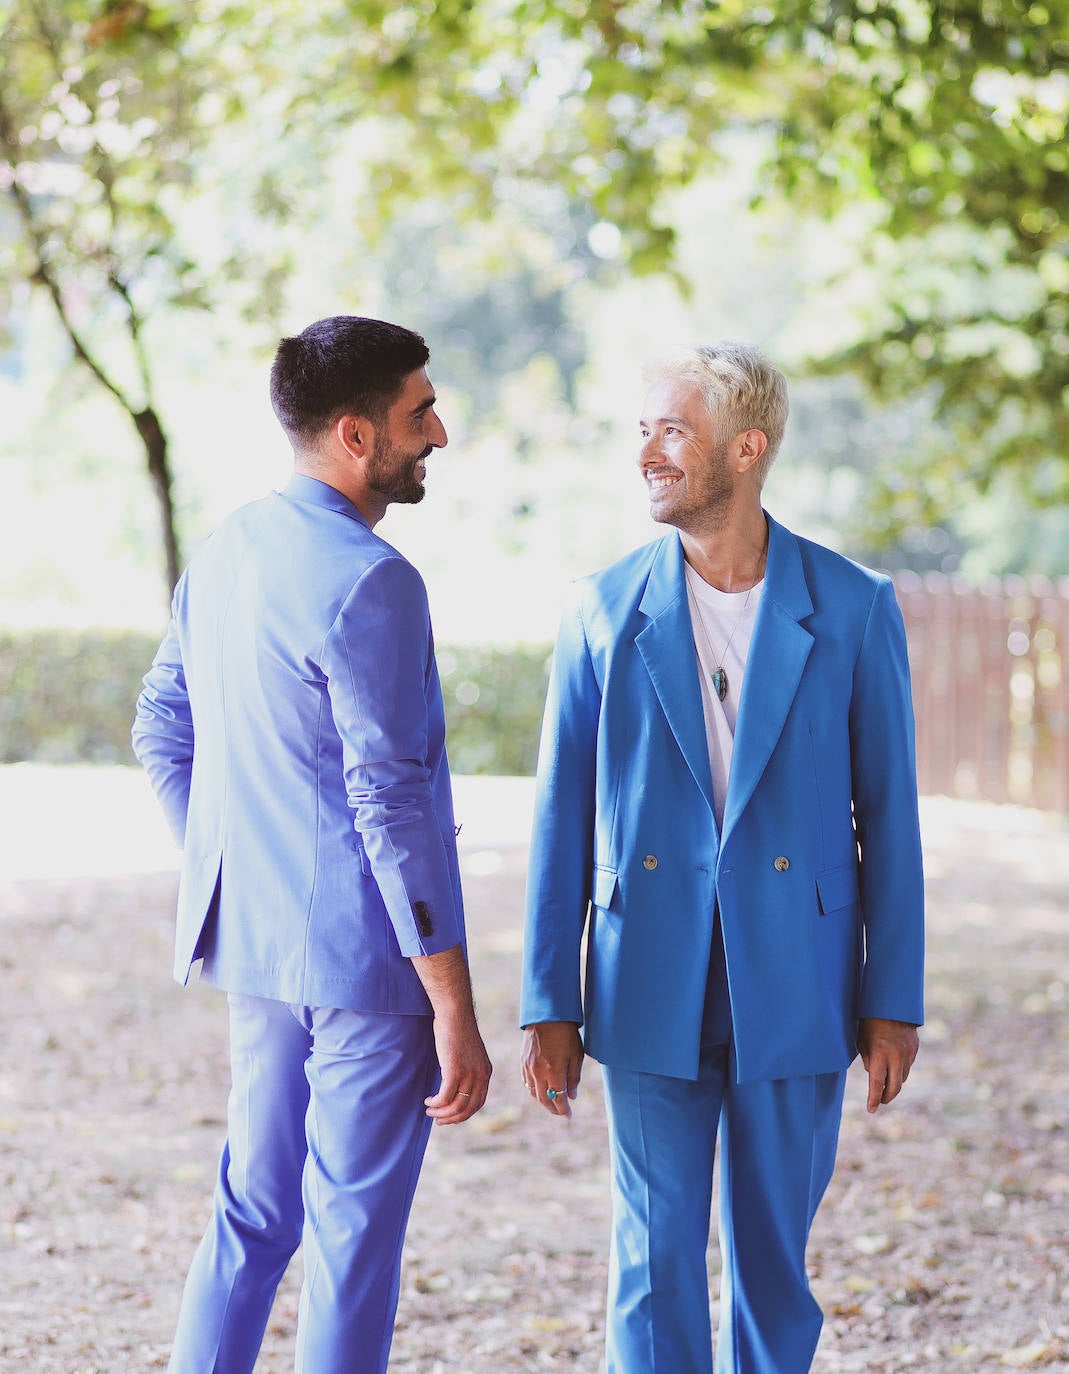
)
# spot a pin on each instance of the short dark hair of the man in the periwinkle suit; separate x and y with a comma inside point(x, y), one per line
point(341, 366)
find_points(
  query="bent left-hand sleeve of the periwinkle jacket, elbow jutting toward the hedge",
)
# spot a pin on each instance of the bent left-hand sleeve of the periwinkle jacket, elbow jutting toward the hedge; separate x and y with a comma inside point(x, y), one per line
point(163, 733)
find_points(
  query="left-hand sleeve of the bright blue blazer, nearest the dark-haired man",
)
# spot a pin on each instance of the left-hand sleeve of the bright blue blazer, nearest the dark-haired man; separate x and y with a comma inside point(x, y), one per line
point(561, 861)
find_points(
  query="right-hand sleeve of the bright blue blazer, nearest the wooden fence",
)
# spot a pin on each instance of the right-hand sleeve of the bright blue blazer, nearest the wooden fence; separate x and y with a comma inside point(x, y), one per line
point(886, 810)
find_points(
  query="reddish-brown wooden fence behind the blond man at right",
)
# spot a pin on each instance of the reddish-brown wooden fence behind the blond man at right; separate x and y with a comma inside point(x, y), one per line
point(991, 686)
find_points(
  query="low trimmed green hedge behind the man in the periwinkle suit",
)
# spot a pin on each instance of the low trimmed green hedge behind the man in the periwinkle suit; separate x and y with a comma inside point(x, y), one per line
point(68, 696)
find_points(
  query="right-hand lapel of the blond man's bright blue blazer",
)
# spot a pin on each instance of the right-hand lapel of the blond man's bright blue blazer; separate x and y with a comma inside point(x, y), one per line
point(774, 668)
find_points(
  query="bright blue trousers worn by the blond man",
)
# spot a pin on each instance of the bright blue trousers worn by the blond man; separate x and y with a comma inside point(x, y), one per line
point(777, 1155)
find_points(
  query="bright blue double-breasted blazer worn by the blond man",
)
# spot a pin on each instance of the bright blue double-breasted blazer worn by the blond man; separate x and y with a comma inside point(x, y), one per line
point(818, 870)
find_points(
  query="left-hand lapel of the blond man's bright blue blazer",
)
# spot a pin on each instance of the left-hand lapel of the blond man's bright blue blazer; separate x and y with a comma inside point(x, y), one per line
point(667, 648)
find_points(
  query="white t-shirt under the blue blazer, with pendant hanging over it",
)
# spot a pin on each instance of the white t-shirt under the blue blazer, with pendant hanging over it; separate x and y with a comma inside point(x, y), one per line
point(723, 627)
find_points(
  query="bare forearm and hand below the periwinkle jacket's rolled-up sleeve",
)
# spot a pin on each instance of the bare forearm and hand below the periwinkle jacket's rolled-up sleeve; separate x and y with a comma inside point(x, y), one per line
point(462, 1056)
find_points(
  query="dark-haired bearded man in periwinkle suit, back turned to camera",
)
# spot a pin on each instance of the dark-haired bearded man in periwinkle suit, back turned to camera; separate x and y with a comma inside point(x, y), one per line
point(292, 726)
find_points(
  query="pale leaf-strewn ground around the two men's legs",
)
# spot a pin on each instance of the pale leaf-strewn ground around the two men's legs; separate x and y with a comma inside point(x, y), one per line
point(943, 1244)
